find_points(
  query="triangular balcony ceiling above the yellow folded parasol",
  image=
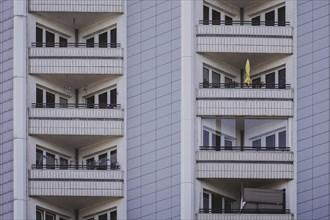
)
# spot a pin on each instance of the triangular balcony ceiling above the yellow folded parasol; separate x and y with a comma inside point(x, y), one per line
point(238, 60)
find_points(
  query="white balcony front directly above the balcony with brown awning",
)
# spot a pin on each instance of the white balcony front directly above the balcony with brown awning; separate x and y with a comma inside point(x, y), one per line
point(244, 163)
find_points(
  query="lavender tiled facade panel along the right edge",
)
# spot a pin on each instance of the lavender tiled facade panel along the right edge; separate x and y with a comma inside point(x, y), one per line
point(313, 109)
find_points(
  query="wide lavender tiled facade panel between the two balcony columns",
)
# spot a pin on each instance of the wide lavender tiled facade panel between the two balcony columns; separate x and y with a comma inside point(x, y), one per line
point(153, 114)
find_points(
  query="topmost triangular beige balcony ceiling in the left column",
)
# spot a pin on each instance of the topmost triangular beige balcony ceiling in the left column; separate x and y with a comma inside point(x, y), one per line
point(76, 20)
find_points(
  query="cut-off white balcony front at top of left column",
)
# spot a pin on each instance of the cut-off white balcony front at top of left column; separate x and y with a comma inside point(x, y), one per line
point(104, 6)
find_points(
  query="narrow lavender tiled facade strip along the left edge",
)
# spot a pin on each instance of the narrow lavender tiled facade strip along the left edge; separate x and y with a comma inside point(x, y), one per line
point(6, 109)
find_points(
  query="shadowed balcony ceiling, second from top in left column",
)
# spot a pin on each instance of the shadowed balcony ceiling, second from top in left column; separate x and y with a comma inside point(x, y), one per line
point(76, 81)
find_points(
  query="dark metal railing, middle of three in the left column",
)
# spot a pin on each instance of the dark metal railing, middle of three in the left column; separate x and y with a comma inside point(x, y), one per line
point(76, 105)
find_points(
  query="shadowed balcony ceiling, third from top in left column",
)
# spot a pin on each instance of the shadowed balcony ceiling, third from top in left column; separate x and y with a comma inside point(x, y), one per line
point(75, 142)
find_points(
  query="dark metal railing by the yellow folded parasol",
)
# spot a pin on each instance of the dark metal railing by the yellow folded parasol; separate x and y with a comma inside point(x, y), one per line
point(236, 85)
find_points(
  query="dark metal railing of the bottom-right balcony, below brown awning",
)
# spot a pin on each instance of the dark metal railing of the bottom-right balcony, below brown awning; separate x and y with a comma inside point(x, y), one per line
point(246, 211)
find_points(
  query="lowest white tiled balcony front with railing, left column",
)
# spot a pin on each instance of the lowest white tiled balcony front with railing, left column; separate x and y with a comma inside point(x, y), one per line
point(76, 180)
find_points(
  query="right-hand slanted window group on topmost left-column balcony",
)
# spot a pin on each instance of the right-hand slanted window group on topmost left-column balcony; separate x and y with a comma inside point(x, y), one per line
point(103, 39)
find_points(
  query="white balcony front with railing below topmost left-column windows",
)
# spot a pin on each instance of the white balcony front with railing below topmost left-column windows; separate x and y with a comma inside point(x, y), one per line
point(76, 59)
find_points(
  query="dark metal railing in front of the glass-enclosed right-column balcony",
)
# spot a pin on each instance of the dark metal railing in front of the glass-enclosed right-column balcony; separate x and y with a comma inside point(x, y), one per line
point(242, 148)
